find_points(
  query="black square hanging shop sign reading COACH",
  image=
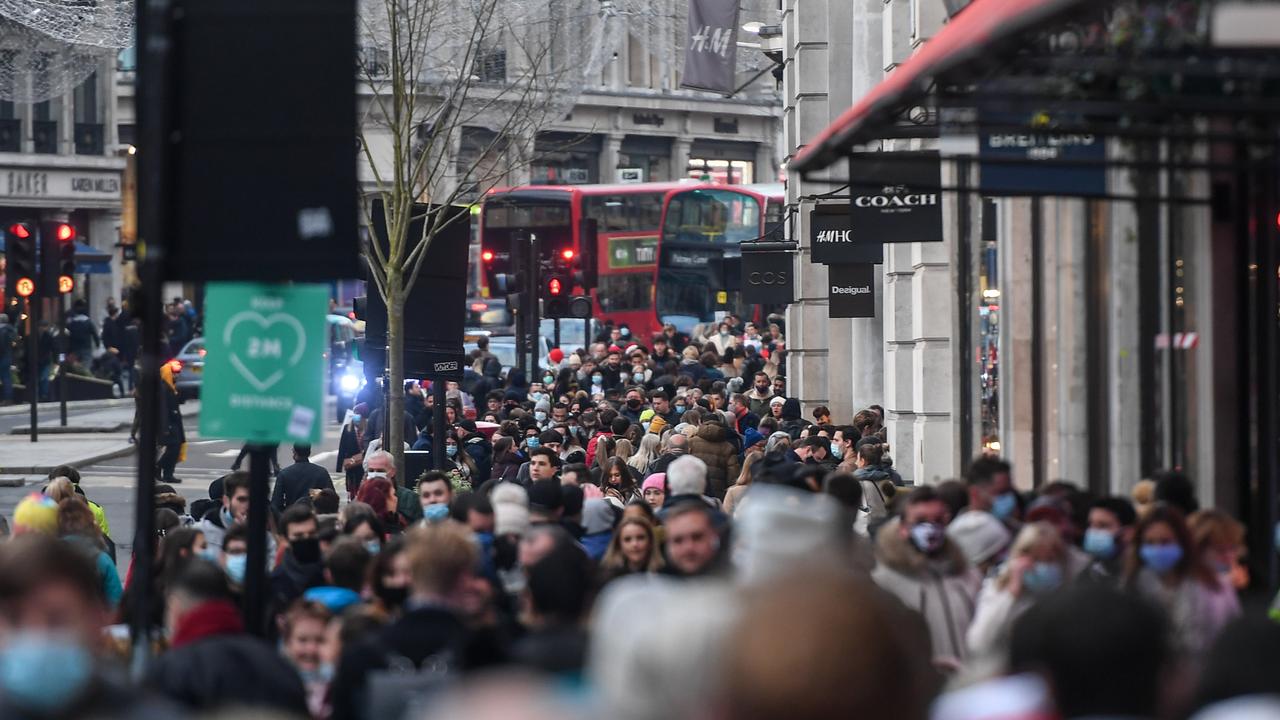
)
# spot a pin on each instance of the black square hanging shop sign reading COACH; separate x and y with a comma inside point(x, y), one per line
point(897, 197)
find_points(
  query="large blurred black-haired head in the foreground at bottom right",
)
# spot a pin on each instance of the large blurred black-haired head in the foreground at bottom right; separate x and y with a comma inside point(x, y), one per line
point(1104, 653)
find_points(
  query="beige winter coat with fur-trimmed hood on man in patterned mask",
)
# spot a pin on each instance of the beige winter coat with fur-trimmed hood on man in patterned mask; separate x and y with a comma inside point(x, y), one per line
point(943, 590)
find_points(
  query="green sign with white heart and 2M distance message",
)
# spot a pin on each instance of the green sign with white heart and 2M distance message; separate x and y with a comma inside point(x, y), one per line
point(264, 362)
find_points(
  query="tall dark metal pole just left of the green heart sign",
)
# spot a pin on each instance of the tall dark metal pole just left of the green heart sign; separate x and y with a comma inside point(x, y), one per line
point(154, 58)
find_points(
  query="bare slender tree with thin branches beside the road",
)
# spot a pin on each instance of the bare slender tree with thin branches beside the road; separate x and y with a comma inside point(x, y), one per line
point(431, 69)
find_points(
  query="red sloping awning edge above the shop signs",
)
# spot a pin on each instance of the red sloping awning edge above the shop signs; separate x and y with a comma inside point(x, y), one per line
point(967, 37)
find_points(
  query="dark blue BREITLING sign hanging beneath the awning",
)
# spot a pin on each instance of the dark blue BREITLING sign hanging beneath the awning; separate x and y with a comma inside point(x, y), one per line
point(1034, 162)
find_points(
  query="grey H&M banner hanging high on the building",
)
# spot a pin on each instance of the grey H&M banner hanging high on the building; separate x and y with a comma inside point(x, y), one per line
point(711, 49)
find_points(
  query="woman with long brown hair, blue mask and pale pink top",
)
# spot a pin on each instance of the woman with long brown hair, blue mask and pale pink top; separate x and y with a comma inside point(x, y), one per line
point(1164, 564)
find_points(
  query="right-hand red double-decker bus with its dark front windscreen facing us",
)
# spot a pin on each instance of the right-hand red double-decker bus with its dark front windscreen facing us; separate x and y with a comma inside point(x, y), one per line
point(700, 263)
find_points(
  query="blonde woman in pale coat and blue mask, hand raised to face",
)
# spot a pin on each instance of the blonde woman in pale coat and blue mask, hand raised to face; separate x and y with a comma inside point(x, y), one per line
point(1036, 567)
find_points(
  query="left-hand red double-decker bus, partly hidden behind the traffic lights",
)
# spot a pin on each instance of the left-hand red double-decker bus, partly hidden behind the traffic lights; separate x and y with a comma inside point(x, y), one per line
point(627, 244)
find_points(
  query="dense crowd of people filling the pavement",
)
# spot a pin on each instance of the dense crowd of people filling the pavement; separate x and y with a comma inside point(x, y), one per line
point(644, 532)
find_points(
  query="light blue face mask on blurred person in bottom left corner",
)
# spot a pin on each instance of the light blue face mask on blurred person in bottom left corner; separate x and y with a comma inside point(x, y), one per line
point(44, 672)
